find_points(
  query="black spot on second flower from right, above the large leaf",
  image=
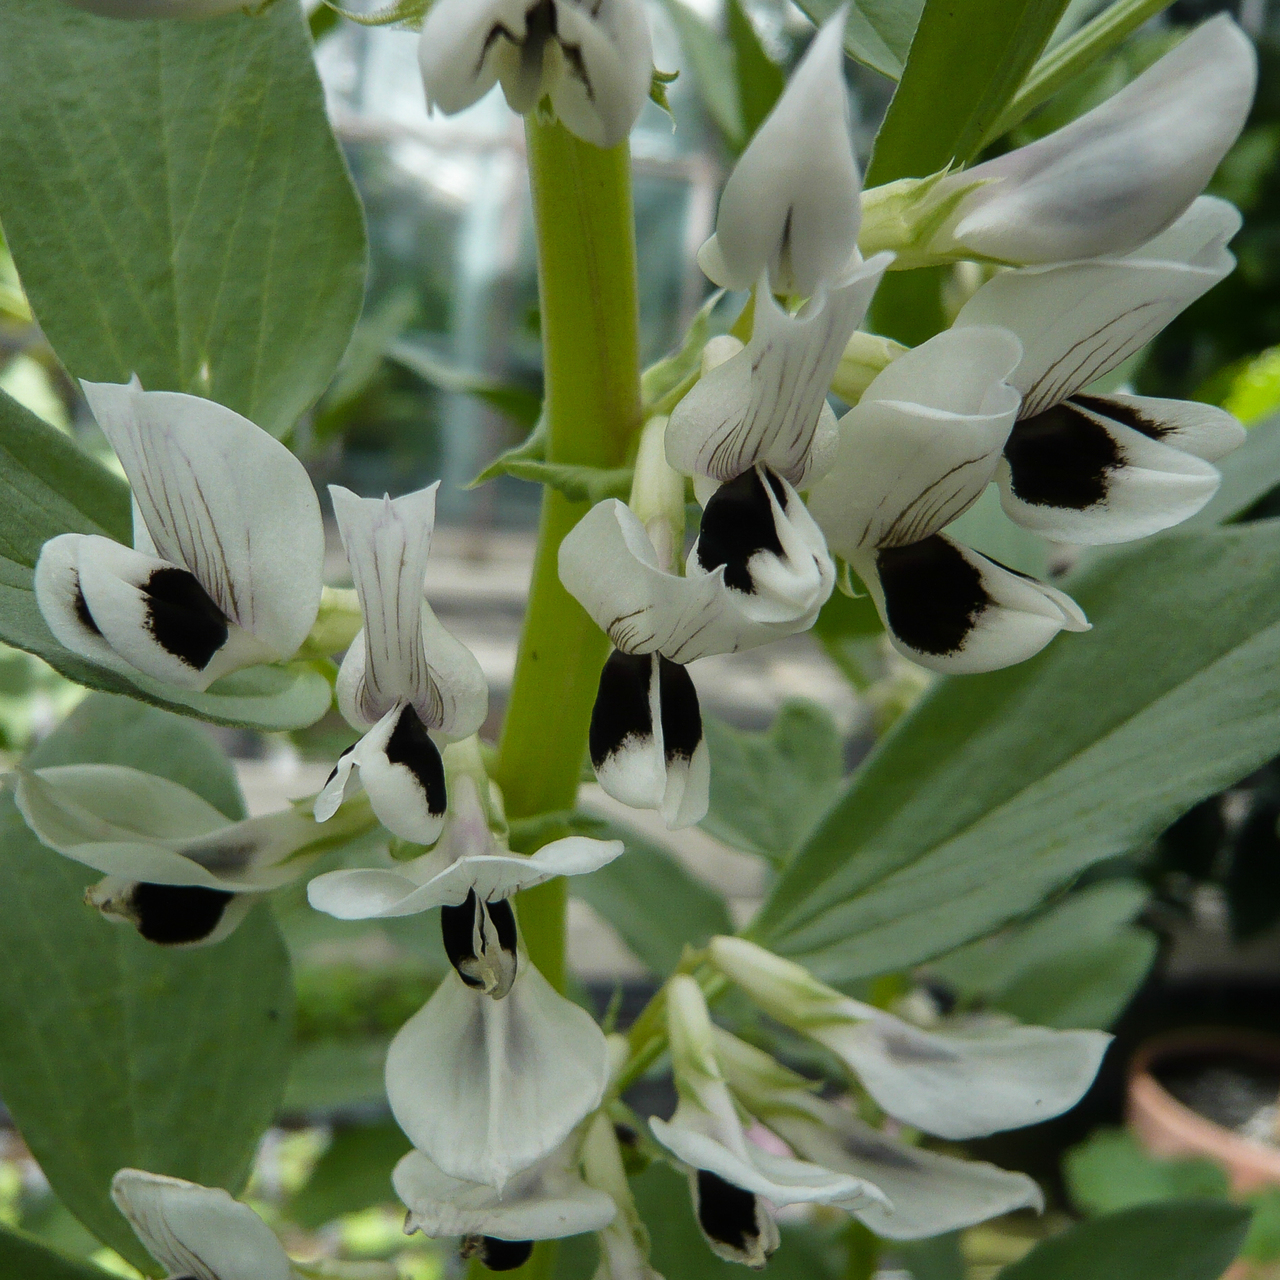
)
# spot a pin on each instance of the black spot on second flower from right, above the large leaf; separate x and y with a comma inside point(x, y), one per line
point(932, 595)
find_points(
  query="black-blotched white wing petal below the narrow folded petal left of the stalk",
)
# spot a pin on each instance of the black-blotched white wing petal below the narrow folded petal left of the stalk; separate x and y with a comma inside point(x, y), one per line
point(403, 775)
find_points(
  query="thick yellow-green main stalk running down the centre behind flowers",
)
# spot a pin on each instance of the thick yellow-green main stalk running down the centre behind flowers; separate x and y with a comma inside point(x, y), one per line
point(587, 278)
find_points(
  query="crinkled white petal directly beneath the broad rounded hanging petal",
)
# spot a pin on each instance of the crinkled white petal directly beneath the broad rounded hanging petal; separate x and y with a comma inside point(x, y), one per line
point(546, 1203)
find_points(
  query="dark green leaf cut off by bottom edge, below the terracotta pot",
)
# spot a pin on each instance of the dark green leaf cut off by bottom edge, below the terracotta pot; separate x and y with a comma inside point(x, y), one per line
point(1180, 1241)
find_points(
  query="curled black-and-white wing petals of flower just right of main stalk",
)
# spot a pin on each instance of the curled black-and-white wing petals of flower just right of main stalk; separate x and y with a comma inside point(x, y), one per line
point(772, 554)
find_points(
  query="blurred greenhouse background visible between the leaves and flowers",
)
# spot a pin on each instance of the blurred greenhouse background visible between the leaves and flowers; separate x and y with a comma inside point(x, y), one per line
point(444, 374)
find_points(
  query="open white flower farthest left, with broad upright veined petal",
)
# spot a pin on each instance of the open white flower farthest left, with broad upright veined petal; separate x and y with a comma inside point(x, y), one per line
point(228, 548)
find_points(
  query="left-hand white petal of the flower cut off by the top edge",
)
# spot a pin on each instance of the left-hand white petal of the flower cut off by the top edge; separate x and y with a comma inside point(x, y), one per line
point(459, 62)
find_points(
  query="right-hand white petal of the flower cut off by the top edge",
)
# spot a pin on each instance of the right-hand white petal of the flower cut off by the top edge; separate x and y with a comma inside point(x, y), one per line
point(600, 68)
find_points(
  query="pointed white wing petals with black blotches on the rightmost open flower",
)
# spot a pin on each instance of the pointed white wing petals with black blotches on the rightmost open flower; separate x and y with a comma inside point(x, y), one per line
point(1078, 474)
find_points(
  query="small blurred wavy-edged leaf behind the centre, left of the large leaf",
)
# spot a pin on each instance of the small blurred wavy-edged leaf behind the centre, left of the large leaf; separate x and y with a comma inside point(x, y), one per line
point(769, 790)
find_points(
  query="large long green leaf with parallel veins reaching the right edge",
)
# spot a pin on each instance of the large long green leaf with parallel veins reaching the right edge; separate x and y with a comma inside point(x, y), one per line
point(998, 789)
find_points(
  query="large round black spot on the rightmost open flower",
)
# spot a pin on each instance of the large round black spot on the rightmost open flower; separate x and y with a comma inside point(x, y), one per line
point(1062, 459)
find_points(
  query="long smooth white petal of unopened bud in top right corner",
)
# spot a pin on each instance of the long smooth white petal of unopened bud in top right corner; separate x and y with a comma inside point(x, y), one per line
point(1123, 172)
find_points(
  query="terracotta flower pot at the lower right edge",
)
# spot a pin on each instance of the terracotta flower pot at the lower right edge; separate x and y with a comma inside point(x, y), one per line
point(1168, 1128)
